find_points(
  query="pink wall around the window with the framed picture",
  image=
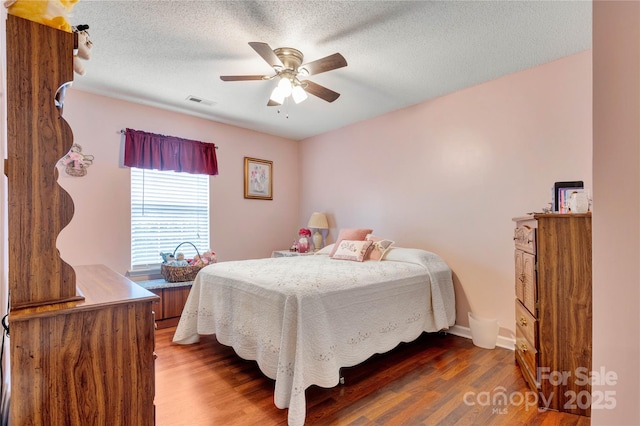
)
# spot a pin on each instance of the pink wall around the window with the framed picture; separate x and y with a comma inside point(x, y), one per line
point(240, 228)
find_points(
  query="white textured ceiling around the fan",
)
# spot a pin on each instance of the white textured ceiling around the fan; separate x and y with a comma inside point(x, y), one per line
point(399, 53)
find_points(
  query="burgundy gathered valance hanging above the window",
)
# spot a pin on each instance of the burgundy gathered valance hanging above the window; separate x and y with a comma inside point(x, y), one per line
point(150, 151)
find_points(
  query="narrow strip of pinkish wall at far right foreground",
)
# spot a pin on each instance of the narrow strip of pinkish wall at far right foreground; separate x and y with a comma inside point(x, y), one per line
point(616, 226)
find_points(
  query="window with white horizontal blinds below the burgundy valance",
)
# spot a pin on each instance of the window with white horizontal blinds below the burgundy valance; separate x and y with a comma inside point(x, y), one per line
point(167, 209)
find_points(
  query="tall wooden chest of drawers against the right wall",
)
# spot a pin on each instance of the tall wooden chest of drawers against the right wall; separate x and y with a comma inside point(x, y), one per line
point(553, 308)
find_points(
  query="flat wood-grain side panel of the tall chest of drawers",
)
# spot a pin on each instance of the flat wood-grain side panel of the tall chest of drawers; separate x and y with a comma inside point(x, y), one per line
point(565, 319)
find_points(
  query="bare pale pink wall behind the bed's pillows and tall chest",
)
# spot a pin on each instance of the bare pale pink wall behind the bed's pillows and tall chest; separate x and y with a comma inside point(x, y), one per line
point(449, 175)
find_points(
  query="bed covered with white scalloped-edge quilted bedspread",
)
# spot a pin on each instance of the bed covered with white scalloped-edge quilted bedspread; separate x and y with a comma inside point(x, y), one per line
point(304, 318)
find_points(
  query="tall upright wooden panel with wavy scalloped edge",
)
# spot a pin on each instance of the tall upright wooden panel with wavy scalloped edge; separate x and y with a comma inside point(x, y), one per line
point(37, 137)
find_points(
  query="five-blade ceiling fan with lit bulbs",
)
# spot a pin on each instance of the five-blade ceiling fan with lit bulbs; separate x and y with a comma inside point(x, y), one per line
point(286, 63)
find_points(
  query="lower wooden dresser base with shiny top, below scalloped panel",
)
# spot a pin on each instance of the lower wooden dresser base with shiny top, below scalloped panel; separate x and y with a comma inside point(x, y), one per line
point(88, 362)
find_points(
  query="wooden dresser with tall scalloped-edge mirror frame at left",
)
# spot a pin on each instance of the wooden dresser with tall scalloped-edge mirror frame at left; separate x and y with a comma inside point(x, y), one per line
point(81, 338)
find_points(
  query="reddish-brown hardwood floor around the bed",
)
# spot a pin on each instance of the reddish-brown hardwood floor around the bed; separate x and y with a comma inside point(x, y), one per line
point(443, 380)
